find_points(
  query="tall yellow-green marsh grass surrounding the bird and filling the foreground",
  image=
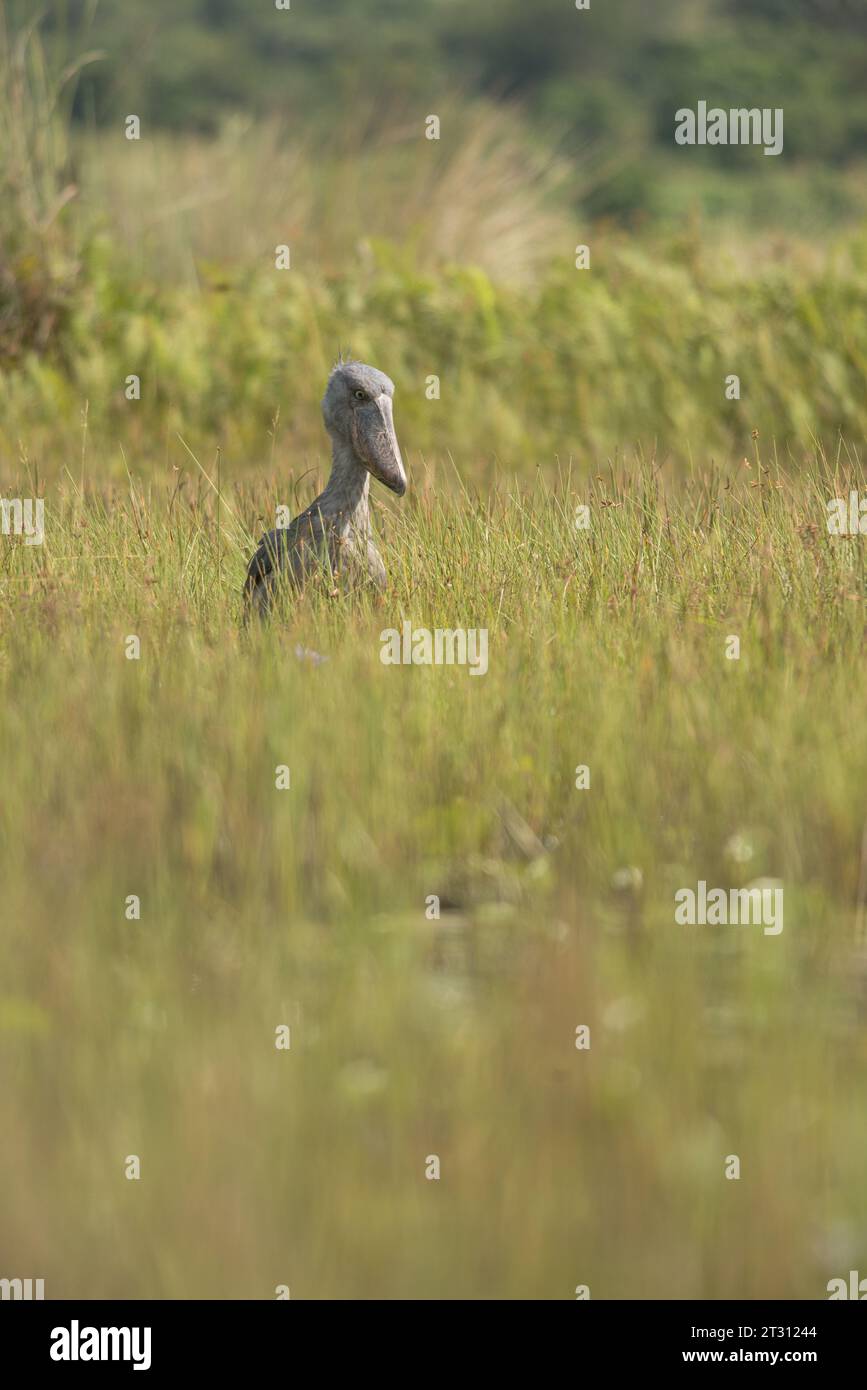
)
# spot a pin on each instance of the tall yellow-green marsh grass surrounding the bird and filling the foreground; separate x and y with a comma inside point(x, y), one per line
point(308, 907)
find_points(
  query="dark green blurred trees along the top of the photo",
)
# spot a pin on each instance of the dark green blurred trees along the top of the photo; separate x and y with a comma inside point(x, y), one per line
point(602, 84)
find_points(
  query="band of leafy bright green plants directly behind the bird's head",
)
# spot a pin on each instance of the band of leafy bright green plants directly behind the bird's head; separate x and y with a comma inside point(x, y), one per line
point(583, 368)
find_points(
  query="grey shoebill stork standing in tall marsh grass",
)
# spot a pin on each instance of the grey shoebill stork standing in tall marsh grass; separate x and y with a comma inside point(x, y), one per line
point(336, 532)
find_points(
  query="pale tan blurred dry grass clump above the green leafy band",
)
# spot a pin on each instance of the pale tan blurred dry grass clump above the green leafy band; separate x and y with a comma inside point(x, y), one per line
point(486, 194)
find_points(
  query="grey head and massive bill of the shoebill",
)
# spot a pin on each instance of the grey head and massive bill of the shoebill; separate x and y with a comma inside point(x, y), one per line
point(358, 411)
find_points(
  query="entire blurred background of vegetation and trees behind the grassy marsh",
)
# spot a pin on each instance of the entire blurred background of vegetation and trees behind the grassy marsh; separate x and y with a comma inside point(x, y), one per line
point(454, 258)
